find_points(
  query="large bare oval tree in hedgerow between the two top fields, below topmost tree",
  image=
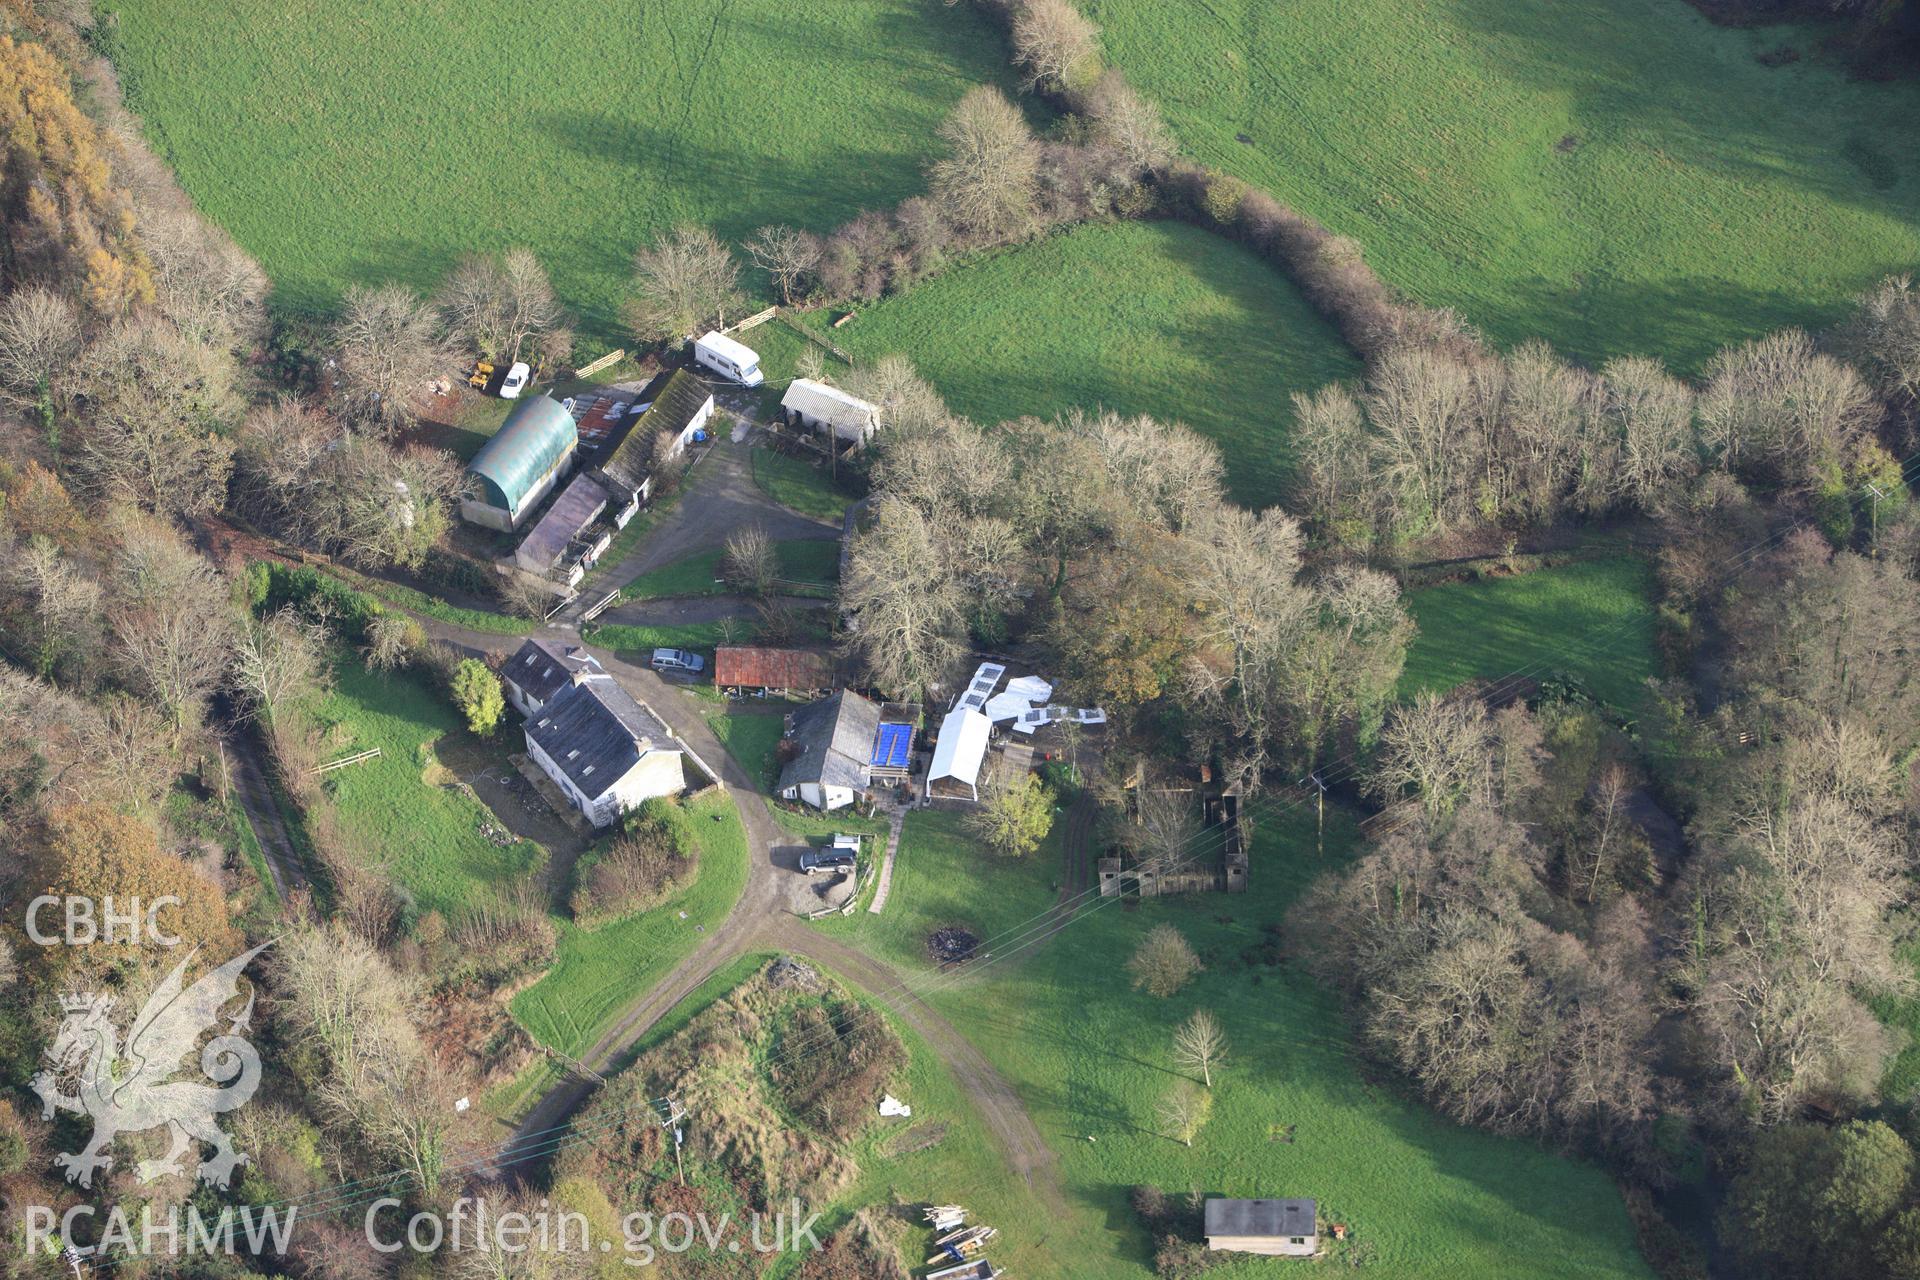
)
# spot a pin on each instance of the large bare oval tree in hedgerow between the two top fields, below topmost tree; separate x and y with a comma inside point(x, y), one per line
point(988, 178)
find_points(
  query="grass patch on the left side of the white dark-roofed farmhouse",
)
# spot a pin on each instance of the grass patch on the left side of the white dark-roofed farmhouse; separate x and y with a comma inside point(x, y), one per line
point(400, 809)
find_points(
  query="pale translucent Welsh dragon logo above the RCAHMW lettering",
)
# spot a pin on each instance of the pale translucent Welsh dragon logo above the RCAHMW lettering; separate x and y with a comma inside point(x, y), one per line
point(135, 1093)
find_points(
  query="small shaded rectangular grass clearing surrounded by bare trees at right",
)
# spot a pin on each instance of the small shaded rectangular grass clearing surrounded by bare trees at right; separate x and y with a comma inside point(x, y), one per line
point(1591, 621)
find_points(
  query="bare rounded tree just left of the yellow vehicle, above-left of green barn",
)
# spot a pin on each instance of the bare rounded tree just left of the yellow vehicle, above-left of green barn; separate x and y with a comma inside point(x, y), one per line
point(389, 352)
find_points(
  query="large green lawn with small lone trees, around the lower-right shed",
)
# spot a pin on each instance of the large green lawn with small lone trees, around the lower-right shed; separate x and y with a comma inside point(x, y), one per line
point(1090, 1056)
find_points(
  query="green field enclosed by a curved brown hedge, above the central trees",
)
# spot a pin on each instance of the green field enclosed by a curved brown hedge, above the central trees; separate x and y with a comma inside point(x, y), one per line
point(1140, 318)
